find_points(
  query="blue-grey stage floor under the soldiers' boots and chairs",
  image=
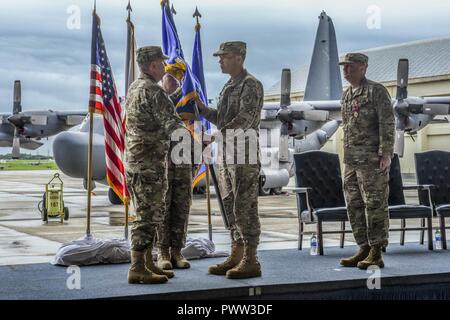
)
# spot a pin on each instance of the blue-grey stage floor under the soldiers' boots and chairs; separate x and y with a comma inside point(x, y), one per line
point(287, 274)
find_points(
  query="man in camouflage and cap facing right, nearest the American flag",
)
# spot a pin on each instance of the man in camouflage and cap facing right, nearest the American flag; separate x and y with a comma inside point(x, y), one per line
point(149, 123)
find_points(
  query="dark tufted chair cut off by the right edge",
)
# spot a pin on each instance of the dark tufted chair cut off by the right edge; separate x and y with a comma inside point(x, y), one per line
point(433, 167)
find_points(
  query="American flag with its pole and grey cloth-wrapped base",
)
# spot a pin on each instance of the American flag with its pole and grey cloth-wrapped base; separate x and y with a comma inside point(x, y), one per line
point(103, 99)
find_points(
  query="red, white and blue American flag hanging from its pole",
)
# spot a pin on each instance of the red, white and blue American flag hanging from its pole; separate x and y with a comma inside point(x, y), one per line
point(104, 99)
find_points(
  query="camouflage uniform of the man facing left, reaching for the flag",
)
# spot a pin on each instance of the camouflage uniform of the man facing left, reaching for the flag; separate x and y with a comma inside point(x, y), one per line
point(239, 107)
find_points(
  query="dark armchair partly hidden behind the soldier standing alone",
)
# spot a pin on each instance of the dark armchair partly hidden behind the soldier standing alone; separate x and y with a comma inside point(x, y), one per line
point(398, 209)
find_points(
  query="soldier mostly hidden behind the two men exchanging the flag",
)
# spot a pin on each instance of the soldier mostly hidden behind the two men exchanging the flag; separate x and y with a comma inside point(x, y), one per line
point(172, 232)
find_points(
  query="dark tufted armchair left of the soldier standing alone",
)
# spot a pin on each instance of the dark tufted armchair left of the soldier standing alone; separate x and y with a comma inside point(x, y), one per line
point(320, 197)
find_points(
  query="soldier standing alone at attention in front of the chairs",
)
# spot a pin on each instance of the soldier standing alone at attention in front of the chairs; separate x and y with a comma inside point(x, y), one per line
point(368, 122)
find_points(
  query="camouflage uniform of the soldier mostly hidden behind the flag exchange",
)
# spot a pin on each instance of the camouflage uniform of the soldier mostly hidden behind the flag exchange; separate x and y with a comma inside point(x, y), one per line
point(172, 232)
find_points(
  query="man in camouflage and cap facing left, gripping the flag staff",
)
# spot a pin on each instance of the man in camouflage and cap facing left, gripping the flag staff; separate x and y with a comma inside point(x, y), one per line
point(239, 107)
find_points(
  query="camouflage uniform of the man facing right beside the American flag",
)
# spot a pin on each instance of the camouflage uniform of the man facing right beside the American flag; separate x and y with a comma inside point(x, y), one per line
point(149, 124)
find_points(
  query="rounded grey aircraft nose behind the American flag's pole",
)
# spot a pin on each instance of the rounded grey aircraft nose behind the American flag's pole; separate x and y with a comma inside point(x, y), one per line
point(70, 153)
